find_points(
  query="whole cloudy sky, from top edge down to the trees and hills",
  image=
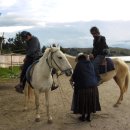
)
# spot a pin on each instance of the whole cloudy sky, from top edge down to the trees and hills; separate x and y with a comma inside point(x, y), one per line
point(41, 18)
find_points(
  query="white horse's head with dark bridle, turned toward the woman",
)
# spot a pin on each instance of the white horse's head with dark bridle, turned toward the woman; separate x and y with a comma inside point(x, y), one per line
point(56, 59)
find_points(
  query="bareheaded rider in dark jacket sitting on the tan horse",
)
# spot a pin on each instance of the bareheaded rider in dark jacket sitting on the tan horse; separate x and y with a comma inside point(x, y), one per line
point(100, 49)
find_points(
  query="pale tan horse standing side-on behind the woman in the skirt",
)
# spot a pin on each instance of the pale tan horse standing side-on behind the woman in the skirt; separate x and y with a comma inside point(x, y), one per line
point(121, 75)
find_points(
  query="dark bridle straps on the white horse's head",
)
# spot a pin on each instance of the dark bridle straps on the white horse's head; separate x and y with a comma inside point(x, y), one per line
point(51, 66)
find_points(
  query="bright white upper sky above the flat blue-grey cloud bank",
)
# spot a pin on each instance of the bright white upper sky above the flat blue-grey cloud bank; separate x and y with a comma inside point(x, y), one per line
point(17, 15)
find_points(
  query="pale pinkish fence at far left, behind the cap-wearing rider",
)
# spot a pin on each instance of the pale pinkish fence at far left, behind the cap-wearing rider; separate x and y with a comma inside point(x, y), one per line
point(11, 60)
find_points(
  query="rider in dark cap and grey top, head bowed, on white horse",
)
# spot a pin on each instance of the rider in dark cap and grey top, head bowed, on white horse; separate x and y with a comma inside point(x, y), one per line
point(33, 52)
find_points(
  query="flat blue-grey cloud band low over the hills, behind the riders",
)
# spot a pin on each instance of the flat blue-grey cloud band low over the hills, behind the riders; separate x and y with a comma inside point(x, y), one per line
point(77, 33)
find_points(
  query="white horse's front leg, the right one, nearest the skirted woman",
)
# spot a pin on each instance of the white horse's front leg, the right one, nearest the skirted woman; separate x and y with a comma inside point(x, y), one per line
point(47, 96)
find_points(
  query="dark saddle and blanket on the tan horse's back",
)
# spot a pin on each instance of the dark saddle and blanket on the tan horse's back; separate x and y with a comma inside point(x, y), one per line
point(106, 66)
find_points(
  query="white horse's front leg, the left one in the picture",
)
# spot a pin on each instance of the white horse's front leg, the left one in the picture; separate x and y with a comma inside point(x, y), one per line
point(36, 92)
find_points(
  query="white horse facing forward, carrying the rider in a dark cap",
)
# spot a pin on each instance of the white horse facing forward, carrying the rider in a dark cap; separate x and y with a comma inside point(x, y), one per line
point(42, 80)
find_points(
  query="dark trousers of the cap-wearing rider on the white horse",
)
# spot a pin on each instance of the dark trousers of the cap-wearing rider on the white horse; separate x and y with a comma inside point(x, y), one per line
point(28, 61)
